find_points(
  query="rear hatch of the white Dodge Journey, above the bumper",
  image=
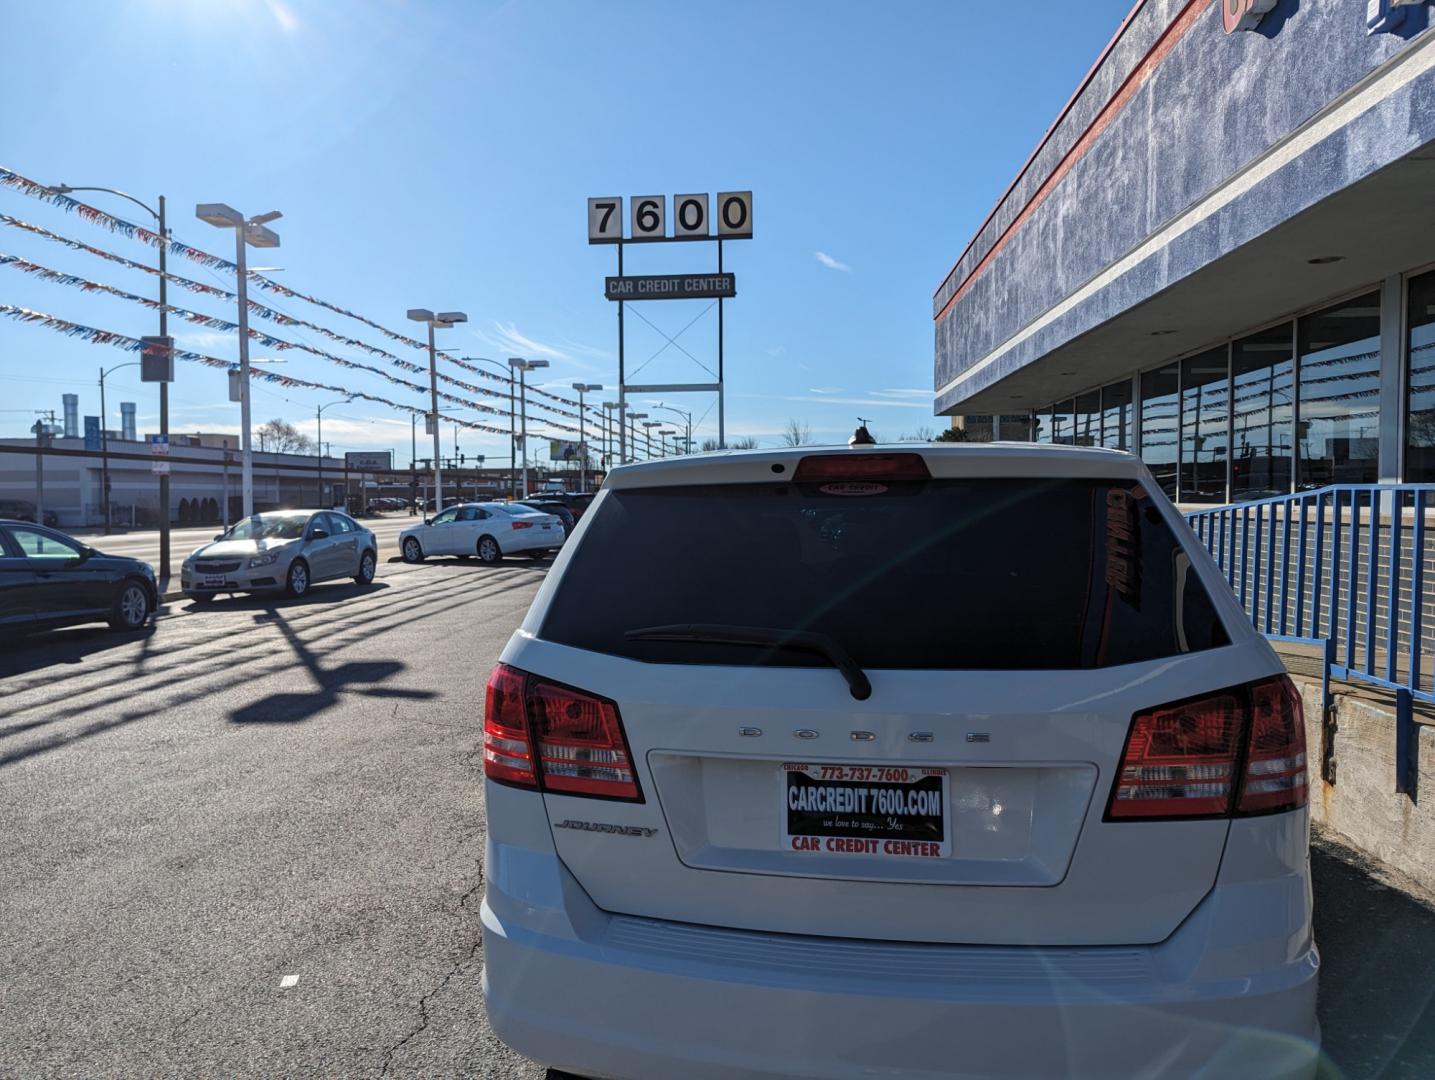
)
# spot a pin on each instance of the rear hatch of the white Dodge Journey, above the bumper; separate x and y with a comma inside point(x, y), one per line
point(1010, 626)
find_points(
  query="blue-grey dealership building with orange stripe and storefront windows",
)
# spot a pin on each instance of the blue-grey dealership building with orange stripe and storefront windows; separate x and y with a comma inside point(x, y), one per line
point(1222, 255)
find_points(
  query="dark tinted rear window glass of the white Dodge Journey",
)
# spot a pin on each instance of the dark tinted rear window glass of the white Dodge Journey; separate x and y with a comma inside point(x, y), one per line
point(991, 574)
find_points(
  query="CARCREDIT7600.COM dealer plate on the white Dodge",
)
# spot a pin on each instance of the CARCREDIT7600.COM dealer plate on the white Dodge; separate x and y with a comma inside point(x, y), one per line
point(888, 813)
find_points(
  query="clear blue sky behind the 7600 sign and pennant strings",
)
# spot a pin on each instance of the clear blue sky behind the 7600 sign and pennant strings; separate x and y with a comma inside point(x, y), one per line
point(440, 156)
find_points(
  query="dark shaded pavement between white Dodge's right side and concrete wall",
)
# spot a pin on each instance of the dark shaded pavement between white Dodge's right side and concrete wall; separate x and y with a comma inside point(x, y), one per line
point(1377, 970)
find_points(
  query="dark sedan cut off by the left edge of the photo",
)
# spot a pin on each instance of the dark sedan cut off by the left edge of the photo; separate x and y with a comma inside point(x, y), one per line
point(52, 580)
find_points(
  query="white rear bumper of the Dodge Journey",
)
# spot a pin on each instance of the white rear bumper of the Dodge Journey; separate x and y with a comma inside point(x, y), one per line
point(629, 999)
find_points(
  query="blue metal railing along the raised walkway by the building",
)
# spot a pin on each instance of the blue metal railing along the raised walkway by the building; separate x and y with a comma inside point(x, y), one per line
point(1354, 587)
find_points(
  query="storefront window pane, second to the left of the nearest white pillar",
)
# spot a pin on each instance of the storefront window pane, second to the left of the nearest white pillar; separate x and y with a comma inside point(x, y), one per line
point(1265, 378)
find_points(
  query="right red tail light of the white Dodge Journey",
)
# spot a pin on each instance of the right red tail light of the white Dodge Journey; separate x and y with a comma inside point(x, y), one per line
point(1235, 752)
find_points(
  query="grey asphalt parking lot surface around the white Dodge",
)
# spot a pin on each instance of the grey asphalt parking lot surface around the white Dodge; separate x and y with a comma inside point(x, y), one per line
point(249, 843)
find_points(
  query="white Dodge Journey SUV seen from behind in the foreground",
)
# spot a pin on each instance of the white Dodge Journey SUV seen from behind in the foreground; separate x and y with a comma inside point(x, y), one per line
point(954, 761)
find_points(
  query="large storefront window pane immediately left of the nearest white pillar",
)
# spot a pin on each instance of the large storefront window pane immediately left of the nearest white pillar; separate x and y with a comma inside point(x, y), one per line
point(1341, 394)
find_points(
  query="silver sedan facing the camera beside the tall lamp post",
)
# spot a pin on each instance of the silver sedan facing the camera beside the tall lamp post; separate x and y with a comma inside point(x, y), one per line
point(282, 551)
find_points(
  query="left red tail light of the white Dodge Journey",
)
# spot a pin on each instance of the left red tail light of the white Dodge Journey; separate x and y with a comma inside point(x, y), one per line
point(582, 748)
